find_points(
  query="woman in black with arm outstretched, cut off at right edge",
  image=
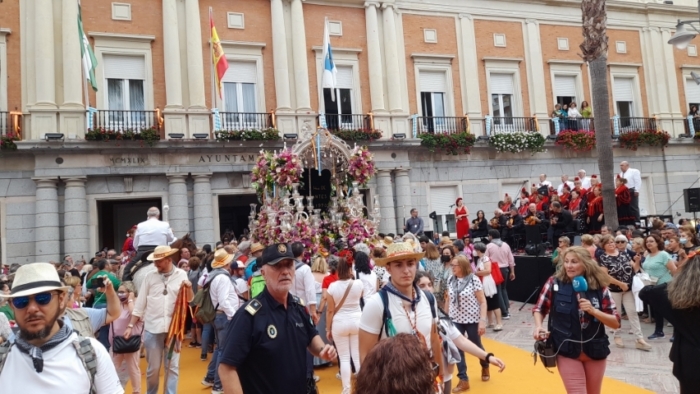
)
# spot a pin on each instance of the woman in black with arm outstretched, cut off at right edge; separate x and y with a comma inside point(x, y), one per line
point(679, 302)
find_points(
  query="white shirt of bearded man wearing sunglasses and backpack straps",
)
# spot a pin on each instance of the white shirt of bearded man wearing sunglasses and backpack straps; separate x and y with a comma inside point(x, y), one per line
point(63, 371)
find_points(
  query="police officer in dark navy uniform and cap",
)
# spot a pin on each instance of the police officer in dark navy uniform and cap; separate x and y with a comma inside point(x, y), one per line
point(271, 333)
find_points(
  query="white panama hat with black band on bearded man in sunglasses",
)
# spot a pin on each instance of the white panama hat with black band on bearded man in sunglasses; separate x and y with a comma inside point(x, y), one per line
point(35, 278)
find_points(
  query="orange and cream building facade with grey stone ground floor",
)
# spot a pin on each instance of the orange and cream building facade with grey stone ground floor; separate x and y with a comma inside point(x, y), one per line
point(405, 65)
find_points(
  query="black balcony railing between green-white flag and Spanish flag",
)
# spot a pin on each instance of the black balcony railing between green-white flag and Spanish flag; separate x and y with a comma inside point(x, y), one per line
point(120, 120)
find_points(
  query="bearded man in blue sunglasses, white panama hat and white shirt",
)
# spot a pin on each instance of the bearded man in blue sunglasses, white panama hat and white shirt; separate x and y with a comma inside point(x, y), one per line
point(48, 357)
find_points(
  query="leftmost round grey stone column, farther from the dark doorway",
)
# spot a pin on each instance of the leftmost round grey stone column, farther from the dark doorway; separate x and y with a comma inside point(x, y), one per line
point(47, 245)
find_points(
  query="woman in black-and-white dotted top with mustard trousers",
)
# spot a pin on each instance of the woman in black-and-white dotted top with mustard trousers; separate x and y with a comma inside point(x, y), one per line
point(467, 309)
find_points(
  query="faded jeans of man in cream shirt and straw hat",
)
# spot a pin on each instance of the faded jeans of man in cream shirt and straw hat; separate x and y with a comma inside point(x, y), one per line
point(157, 354)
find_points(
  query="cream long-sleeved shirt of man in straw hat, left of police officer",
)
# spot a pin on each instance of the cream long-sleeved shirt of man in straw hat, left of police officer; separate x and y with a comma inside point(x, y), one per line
point(154, 307)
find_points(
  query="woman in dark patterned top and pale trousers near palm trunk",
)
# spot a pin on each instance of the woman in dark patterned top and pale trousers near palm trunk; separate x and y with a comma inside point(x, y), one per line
point(621, 270)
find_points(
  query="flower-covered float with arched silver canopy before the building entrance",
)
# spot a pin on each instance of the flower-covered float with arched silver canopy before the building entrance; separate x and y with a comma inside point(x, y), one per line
point(310, 193)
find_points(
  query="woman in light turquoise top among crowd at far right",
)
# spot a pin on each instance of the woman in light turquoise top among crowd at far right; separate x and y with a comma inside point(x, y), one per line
point(659, 265)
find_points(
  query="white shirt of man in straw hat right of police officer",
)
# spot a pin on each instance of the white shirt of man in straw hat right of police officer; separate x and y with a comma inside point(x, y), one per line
point(371, 320)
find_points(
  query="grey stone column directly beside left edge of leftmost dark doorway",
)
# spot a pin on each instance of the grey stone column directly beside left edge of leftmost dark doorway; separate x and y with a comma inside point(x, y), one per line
point(75, 219)
